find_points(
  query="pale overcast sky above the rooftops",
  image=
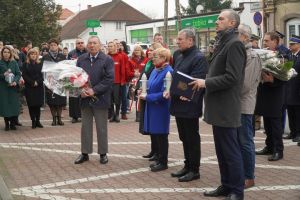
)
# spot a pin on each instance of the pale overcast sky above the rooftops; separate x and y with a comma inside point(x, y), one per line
point(152, 8)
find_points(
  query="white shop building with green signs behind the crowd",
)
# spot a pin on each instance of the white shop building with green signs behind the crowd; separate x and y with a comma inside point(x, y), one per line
point(204, 24)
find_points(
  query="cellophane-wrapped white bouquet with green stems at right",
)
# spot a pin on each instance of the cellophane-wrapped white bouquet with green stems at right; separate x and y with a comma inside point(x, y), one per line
point(273, 63)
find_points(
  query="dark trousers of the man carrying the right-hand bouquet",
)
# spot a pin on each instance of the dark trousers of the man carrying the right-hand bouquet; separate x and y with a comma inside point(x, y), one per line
point(273, 128)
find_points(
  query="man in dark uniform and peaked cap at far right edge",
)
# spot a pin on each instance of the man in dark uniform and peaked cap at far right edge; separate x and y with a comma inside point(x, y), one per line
point(293, 91)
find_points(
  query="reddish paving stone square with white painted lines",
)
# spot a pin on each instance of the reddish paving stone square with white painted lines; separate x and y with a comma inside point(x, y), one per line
point(39, 164)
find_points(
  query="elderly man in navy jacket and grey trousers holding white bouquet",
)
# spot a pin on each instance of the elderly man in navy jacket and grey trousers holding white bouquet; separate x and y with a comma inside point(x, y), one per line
point(95, 100)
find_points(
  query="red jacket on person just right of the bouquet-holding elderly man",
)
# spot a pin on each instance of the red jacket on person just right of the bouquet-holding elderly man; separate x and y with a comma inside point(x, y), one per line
point(120, 68)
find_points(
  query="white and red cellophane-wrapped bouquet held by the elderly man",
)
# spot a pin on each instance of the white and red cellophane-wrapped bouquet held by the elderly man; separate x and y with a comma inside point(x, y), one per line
point(65, 78)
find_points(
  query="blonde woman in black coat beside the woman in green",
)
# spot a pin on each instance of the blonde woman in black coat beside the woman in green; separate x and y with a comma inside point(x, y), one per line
point(34, 89)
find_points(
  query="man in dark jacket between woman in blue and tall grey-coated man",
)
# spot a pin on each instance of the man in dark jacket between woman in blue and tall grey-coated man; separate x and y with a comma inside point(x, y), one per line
point(189, 60)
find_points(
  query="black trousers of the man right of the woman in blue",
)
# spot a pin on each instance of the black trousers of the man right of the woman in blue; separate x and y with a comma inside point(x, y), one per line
point(188, 129)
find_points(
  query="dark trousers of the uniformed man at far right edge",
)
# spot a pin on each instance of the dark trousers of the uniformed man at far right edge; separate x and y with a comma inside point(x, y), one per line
point(294, 120)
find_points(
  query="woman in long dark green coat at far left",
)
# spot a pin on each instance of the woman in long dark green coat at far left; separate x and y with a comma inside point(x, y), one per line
point(9, 77)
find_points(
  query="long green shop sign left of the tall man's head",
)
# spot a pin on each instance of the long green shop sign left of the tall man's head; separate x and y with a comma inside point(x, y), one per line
point(200, 22)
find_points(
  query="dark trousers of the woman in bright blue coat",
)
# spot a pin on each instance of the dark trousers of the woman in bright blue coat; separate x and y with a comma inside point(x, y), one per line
point(162, 143)
